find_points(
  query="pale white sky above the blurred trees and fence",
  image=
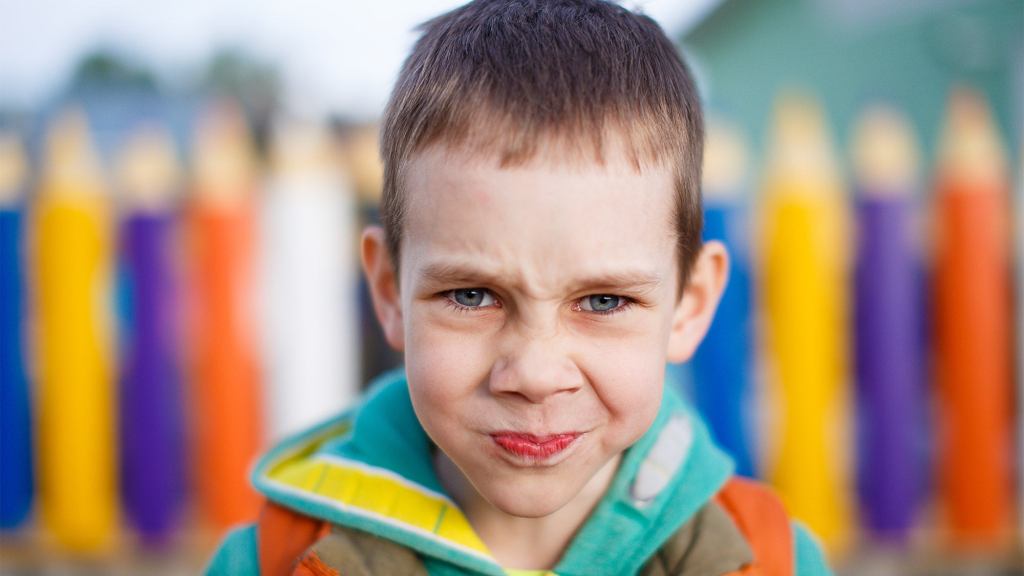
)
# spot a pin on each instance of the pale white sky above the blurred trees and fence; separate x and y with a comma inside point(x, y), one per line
point(334, 55)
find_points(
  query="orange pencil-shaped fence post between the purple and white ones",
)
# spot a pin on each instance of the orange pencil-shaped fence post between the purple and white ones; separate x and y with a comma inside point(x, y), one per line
point(228, 400)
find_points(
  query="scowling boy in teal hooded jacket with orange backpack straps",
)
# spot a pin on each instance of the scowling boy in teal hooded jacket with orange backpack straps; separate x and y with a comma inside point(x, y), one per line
point(539, 264)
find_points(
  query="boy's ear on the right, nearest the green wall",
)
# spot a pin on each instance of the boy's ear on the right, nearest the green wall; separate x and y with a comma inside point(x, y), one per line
point(697, 308)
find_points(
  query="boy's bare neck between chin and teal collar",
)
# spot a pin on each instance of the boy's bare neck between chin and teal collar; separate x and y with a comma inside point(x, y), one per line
point(519, 543)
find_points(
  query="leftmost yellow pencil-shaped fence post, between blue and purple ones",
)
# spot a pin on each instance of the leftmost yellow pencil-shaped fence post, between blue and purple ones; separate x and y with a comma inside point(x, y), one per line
point(77, 424)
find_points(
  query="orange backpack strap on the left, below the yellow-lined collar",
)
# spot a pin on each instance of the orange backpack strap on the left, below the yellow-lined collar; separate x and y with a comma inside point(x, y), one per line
point(283, 537)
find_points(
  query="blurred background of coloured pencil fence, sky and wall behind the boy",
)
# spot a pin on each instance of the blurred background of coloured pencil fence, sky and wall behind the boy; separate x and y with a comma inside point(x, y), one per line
point(183, 187)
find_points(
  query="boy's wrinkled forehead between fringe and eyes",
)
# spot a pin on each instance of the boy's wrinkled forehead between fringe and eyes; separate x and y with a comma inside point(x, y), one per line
point(546, 222)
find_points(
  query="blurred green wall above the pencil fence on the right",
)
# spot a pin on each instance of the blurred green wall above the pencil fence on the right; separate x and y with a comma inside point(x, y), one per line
point(909, 55)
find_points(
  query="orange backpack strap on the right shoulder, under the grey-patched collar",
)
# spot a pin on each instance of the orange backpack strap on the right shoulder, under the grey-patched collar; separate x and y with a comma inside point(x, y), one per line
point(760, 516)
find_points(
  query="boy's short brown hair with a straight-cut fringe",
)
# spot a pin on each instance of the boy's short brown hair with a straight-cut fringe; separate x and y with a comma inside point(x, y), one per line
point(503, 77)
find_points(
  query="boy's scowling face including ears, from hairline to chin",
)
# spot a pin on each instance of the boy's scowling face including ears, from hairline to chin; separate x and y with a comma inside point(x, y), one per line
point(538, 307)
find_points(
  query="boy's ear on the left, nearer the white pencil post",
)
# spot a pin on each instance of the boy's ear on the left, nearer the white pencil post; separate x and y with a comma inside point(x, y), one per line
point(383, 282)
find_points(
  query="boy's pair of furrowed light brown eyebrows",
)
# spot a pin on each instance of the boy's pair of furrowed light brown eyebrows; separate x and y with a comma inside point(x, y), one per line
point(636, 281)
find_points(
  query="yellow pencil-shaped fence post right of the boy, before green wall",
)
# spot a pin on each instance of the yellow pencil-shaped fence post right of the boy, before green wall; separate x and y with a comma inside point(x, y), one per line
point(805, 248)
